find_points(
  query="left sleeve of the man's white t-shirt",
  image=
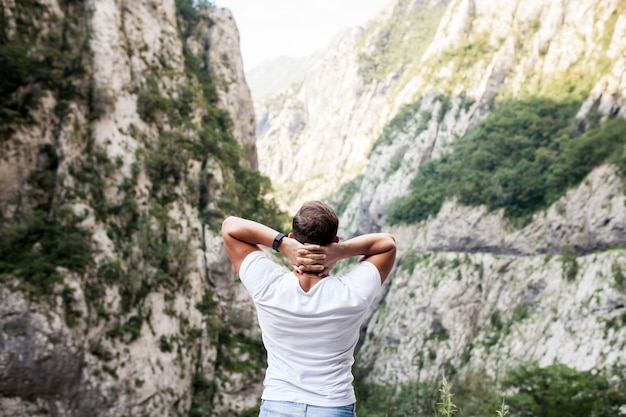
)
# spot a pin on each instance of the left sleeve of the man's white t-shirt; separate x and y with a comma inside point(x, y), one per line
point(258, 272)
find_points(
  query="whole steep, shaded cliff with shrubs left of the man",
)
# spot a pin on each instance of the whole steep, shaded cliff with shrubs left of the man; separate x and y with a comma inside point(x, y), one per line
point(127, 130)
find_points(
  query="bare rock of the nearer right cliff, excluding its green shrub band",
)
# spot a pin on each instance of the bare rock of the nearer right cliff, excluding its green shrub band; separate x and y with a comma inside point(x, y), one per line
point(553, 284)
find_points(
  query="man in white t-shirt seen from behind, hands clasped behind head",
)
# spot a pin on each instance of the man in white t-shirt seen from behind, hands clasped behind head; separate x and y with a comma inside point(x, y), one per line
point(309, 320)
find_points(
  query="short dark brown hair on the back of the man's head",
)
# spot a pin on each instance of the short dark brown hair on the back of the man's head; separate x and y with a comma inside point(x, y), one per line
point(316, 222)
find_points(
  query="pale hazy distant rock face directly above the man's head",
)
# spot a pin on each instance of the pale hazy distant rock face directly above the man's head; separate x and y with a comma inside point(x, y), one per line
point(316, 134)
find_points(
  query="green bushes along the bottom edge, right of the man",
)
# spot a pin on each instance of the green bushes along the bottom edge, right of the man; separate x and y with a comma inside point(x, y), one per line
point(531, 391)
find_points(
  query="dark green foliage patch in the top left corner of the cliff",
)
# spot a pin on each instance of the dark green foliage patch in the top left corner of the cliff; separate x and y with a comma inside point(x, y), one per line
point(34, 64)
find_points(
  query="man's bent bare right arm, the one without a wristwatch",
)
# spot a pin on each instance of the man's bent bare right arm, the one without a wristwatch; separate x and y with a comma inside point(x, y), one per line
point(376, 248)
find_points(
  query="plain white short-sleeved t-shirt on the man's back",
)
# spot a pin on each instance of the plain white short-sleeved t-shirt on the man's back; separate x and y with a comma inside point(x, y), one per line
point(309, 336)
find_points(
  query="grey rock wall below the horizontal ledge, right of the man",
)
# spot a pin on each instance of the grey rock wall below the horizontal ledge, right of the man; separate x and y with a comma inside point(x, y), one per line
point(460, 312)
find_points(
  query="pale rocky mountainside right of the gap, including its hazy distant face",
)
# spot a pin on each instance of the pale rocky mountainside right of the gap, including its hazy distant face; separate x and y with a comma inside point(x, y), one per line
point(472, 291)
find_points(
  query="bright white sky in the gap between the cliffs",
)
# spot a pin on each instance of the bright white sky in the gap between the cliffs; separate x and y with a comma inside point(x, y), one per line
point(273, 28)
